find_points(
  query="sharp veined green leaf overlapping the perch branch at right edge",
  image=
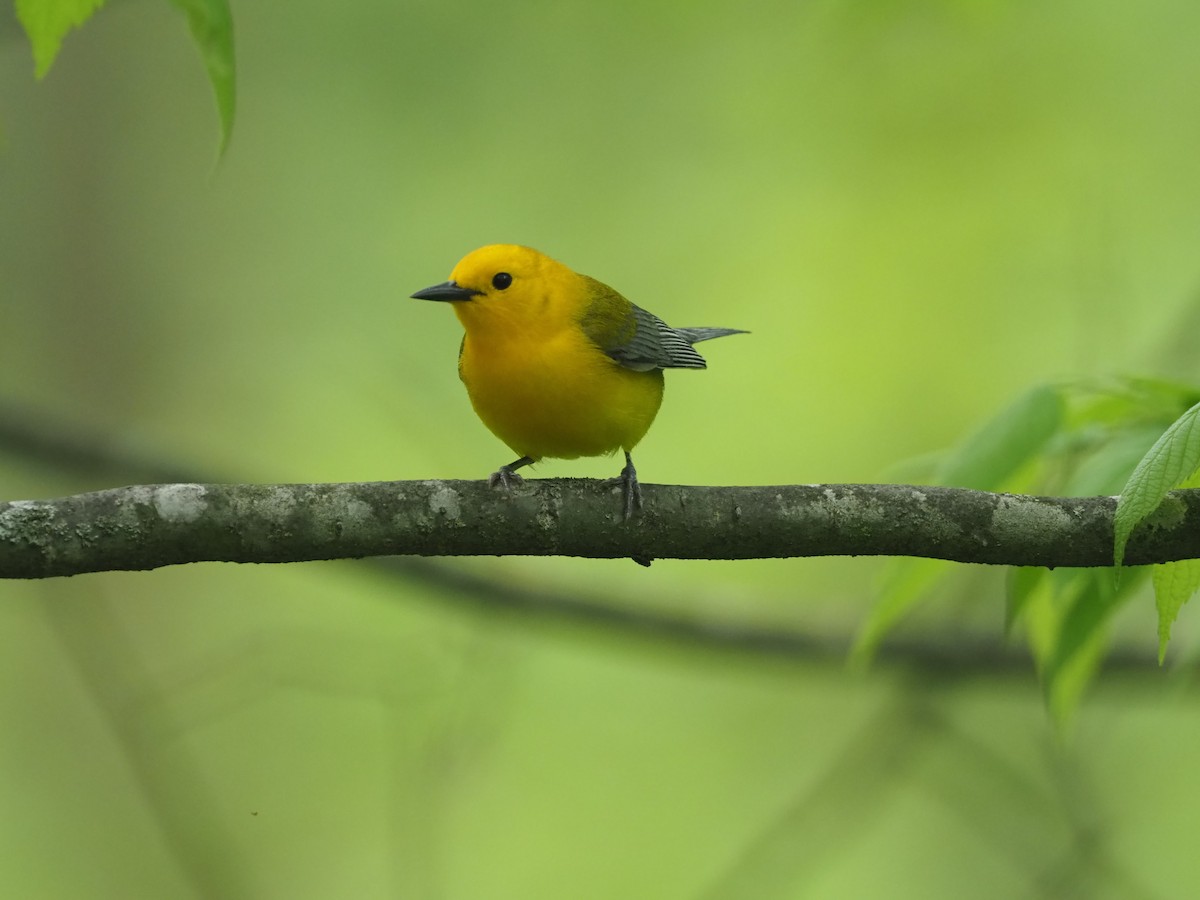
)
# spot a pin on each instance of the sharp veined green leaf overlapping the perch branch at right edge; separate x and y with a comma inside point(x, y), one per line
point(1171, 463)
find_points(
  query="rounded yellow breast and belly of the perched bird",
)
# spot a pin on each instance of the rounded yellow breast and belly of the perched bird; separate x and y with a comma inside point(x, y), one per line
point(562, 398)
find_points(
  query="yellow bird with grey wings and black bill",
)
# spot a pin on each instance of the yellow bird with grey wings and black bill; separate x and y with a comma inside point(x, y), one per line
point(559, 364)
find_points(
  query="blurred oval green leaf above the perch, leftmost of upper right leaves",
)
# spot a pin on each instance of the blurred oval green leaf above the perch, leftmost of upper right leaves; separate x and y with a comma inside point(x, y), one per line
point(1004, 446)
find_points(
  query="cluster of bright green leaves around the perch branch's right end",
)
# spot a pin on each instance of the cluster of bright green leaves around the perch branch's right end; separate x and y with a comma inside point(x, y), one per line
point(1073, 440)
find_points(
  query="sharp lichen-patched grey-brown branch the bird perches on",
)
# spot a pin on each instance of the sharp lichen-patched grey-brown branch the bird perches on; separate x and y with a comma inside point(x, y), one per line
point(149, 526)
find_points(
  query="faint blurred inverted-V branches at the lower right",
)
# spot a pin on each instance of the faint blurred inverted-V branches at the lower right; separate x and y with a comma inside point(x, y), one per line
point(910, 745)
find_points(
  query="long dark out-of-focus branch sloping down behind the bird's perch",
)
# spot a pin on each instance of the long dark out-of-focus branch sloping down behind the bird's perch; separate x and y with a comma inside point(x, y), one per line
point(26, 434)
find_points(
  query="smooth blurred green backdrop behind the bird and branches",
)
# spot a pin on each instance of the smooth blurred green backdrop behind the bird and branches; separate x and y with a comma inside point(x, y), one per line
point(920, 209)
